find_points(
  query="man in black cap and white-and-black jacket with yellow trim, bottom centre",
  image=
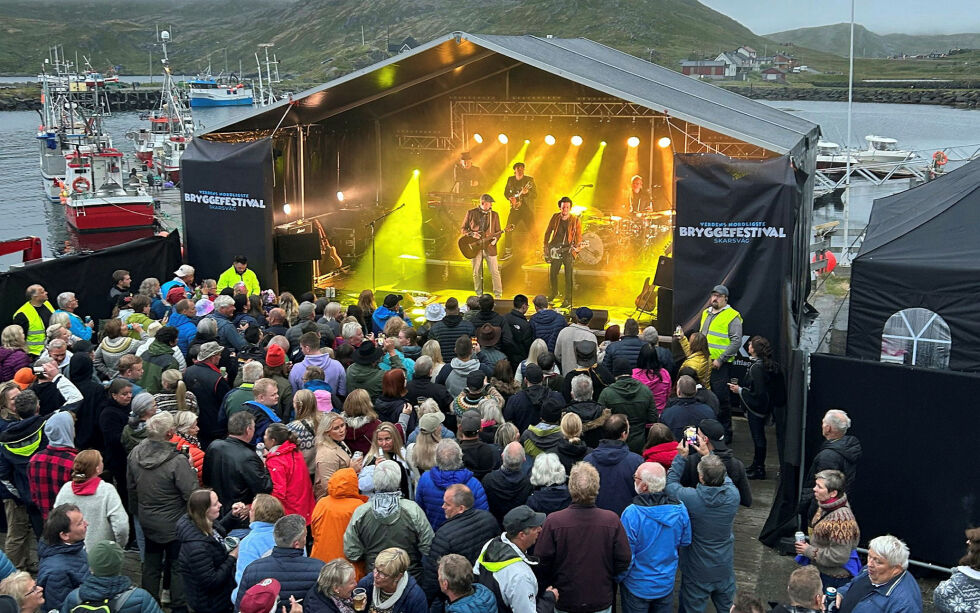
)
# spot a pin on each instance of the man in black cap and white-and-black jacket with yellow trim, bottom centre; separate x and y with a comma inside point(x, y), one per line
point(505, 567)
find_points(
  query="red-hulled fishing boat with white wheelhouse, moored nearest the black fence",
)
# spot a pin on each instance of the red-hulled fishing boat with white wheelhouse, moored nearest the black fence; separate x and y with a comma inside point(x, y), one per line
point(95, 196)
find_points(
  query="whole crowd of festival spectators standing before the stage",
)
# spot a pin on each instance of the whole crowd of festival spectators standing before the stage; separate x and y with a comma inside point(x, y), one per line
point(279, 453)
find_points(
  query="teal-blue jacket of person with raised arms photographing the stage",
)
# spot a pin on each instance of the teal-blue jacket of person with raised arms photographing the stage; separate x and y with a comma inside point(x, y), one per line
point(711, 556)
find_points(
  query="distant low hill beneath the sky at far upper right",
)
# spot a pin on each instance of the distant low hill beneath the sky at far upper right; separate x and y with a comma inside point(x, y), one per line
point(867, 44)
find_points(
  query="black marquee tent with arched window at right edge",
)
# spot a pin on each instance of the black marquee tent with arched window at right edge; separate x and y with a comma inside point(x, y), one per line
point(917, 276)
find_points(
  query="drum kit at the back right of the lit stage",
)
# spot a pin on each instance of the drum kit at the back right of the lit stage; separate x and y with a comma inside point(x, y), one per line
point(625, 236)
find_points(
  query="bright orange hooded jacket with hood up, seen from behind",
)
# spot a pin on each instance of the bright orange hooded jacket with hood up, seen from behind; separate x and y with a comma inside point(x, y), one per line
point(331, 516)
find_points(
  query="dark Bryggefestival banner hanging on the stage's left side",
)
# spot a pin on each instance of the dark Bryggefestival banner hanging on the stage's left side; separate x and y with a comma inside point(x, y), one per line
point(226, 195)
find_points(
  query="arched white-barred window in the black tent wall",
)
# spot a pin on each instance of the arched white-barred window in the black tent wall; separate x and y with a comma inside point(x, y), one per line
point(917, 337)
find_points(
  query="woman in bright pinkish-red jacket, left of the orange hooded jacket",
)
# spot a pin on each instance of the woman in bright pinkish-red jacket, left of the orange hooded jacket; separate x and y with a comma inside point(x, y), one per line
point(291, 483)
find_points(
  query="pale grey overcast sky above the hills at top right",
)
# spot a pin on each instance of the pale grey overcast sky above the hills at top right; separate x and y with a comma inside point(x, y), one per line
point(879, 16)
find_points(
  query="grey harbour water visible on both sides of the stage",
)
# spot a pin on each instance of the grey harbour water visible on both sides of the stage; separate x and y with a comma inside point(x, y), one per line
point(25, 210)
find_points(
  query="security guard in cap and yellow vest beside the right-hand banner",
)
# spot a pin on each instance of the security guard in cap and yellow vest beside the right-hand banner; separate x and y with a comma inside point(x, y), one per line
point(722, 325)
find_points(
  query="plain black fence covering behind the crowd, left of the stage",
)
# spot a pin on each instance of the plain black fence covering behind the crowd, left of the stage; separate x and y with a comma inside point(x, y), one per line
point(89, 275)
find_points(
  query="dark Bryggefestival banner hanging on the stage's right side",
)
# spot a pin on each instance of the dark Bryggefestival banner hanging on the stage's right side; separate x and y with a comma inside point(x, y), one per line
point(734, 227)
